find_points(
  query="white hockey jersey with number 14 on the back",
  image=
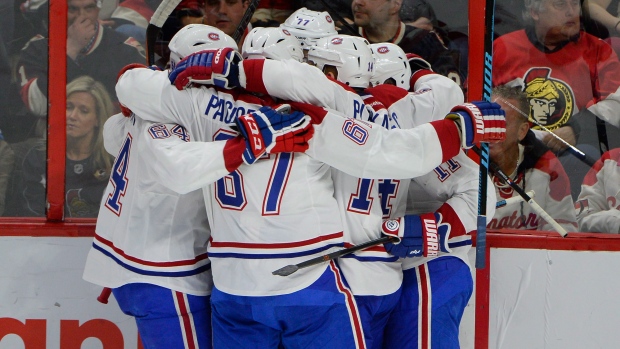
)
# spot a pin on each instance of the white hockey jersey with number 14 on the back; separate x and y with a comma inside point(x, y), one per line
point(364, 202)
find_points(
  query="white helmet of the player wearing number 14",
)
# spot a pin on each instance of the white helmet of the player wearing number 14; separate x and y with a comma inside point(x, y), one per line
point(351, 55)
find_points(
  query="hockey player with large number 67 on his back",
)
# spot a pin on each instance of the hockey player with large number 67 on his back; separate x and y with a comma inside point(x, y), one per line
point(253, 210)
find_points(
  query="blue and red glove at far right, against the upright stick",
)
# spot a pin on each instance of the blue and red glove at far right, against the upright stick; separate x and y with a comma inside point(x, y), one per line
point(479, 122)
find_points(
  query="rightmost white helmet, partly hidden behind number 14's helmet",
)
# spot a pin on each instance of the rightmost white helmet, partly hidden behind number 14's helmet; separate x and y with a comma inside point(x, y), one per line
point(390, 62)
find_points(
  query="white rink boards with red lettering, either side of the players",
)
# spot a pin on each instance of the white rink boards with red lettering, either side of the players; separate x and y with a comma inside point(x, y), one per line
point(563, 296)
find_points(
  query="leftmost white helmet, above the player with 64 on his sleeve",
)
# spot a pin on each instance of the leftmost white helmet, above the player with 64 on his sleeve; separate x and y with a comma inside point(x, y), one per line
point(197, 37)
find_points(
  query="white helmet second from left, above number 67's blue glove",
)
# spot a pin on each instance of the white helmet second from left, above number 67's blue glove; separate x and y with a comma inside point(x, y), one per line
point(271, 43)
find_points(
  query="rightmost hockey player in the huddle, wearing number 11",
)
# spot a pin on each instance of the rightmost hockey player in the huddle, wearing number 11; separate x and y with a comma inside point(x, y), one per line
point(428, 313)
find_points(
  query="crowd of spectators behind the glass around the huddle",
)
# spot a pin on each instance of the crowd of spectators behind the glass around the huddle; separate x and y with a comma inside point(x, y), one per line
point(555, 63)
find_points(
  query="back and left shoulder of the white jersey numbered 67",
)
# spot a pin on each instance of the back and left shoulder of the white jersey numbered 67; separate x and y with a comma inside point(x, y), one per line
point(278, 211)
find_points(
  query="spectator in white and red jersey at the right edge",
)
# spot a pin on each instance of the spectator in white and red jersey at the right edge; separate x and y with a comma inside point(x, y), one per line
point(598, 205)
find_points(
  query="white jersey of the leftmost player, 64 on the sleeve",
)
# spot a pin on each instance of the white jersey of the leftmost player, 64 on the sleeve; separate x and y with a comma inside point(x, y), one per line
point(146, 232)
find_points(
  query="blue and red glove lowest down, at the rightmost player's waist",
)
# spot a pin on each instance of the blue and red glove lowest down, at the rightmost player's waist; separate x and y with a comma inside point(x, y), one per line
point(419, 236)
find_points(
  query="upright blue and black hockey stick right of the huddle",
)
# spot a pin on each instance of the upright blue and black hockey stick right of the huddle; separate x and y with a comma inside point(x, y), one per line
point(481, 234)
